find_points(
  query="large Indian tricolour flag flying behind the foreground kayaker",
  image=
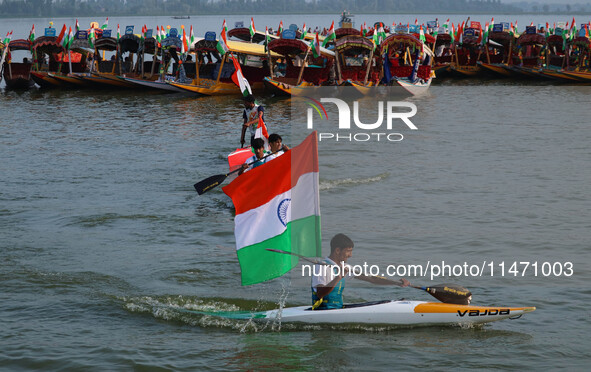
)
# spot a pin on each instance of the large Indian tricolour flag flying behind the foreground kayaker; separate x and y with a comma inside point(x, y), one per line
point(277, 207)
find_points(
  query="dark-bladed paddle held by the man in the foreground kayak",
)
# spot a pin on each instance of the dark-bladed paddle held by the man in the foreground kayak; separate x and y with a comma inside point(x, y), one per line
point(446, 293)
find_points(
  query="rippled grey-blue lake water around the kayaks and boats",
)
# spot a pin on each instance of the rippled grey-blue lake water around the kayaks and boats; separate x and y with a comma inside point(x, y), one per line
point(103, 238)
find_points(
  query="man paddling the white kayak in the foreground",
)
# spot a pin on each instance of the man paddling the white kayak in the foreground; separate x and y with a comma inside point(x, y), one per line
point(328, 286)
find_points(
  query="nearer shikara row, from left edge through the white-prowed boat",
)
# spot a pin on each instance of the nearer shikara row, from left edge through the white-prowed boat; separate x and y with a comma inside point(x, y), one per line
point(282, 64)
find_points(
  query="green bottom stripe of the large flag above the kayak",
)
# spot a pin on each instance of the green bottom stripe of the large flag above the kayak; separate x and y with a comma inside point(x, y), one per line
point(301, 236)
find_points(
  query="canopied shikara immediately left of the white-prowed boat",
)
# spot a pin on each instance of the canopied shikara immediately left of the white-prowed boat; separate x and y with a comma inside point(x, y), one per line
point(356, 64)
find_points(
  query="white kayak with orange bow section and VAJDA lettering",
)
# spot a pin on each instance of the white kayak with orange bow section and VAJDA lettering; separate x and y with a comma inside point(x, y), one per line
point(397, 313)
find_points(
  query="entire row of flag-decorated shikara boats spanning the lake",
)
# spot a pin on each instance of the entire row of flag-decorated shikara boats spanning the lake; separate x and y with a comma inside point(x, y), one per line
point(287, 63)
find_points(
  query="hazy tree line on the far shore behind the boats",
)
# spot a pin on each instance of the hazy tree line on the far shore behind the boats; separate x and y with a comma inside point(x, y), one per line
point(79, 8)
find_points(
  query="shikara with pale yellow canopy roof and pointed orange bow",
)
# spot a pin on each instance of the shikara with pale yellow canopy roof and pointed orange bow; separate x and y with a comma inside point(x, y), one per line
point(215, 77)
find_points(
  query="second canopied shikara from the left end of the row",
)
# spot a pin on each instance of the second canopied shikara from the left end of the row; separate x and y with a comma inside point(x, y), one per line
point(45, 48)
